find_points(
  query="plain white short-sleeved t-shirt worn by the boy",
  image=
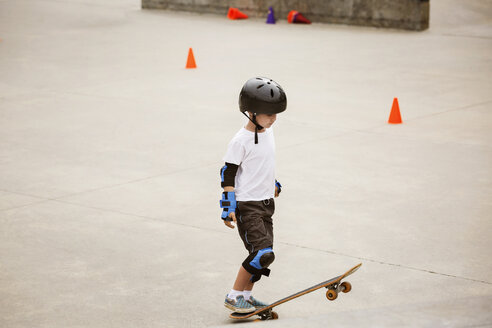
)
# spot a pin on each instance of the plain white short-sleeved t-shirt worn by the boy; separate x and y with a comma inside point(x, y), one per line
point(255, 178)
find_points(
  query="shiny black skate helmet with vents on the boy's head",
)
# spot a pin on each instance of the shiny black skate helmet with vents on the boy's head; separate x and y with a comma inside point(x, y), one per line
point(261, 95)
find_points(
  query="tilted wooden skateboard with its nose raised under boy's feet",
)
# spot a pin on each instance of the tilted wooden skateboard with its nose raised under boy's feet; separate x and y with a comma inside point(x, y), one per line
point(334, 286)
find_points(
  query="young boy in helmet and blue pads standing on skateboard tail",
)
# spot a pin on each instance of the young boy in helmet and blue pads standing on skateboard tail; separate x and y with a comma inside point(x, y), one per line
point(248, 179)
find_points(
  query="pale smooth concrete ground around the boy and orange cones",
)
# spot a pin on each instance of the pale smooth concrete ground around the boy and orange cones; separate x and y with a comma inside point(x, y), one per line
point(110, 153)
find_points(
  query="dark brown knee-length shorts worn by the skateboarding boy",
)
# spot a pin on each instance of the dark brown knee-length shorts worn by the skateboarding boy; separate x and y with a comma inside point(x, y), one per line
point(255, 224)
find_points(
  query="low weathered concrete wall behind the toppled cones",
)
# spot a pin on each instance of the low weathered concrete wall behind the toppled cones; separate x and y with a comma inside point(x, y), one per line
point(402, 14)
